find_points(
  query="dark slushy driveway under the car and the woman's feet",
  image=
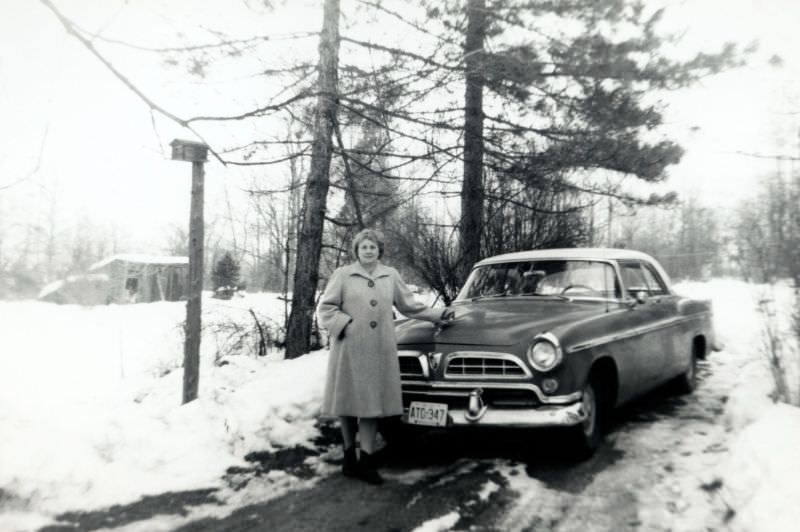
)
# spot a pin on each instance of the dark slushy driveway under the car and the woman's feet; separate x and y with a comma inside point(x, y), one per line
point(655, 472)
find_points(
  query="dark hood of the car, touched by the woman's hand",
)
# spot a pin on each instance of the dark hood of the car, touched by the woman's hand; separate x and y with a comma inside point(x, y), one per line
point(497, 322)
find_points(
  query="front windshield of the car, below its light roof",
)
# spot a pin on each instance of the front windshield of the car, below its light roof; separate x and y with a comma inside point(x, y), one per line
point(572, 278)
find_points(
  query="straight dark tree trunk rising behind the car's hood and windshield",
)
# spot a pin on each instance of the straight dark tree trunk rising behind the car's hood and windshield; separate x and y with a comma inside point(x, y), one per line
point(472, 191)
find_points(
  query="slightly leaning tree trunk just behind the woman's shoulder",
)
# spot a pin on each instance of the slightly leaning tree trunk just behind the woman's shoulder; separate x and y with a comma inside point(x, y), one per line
point(309, 242)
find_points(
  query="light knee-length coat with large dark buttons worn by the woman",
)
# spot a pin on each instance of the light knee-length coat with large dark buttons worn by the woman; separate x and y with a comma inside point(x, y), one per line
point(363, 377)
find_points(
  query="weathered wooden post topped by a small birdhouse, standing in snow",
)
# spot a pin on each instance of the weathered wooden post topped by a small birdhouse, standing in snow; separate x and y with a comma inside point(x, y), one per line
point(196, 153)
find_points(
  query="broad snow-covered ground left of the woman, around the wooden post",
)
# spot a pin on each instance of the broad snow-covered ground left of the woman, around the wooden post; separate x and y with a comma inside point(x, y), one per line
point(90, 410)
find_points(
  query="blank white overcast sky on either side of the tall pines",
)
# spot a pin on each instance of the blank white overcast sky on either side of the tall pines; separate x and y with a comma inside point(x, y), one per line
point(101, 153)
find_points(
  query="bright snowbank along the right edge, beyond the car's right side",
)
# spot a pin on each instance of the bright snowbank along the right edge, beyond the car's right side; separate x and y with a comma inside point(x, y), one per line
point(761, 476)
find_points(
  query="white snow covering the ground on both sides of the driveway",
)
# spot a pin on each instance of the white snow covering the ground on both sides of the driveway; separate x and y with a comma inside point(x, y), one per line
point(90, 416)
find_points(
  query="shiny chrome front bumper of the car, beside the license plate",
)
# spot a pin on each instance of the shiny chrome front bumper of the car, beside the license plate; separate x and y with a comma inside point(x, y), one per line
point(549, 416)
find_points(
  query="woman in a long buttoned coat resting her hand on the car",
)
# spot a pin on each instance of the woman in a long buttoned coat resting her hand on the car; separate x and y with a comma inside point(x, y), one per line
point(363, 381)
